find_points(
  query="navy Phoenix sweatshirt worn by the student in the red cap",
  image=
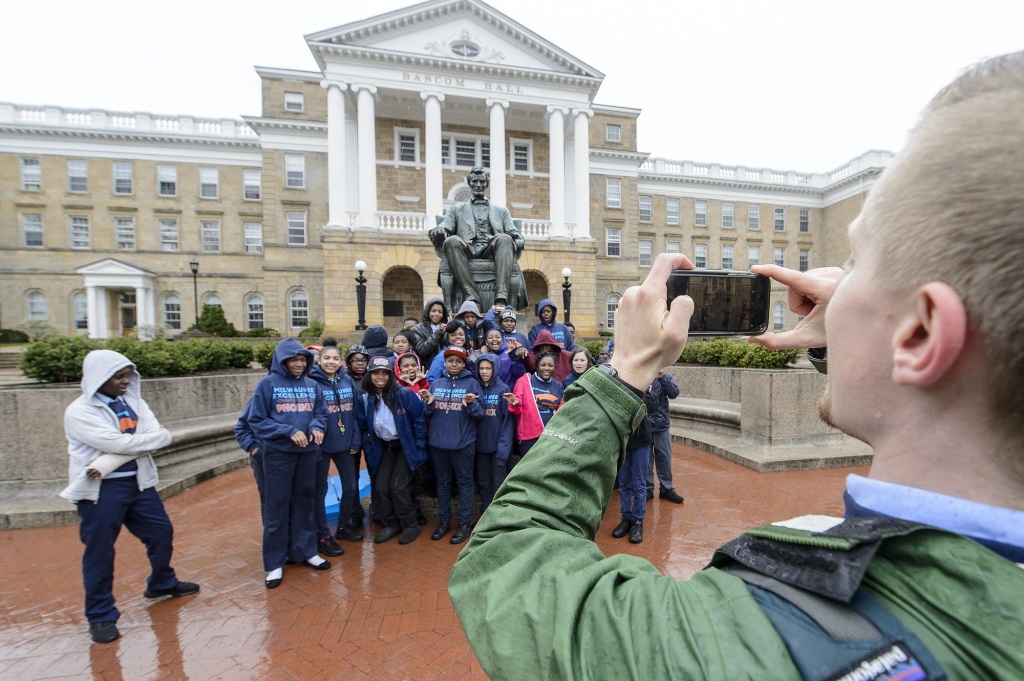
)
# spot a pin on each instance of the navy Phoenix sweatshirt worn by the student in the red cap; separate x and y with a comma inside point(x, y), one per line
point(453, 425)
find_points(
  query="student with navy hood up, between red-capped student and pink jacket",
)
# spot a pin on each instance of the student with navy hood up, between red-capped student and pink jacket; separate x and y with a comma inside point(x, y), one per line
point(495, 432)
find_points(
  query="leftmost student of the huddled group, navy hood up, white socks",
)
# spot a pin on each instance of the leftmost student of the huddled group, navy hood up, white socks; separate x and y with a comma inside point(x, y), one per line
point(288, 415)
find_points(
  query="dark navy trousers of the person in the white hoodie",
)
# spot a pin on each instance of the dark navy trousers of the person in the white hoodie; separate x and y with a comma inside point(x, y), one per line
point(122, 503)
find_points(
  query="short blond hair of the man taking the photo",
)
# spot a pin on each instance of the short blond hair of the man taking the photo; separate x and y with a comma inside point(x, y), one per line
point(951, 208)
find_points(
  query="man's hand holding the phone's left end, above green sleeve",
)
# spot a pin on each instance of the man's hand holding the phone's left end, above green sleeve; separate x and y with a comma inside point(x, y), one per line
point(650, 336)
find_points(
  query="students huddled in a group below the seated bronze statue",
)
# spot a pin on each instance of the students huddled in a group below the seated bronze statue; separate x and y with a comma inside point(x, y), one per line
point(486, 392)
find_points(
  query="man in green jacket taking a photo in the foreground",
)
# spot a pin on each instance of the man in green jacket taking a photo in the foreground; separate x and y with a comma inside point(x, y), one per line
point(923, 334)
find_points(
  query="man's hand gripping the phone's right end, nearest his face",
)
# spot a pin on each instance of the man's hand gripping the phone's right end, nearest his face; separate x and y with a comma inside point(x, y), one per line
point(809, 295)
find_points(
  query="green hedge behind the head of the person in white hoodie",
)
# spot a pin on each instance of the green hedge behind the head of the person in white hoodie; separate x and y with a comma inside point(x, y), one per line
point(60, 360)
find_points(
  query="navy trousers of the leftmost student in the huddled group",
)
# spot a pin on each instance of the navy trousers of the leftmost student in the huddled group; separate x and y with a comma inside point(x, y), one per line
point(289, 528)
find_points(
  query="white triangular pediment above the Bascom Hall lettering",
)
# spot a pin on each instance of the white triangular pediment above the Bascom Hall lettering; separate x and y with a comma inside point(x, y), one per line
point(458, 32)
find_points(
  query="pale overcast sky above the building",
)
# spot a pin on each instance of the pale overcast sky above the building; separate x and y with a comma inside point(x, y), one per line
point(791, 86)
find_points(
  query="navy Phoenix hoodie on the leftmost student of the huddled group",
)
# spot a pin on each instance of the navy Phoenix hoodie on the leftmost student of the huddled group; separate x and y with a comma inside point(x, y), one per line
point(284, 405)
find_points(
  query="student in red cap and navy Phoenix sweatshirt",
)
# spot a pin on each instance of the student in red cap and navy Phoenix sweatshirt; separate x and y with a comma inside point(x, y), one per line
point(454, 410)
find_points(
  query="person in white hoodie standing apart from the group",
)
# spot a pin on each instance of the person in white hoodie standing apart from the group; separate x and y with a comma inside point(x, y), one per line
point(112, 435)
